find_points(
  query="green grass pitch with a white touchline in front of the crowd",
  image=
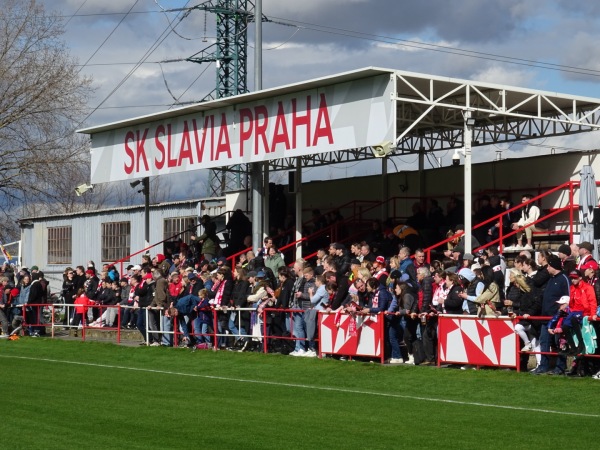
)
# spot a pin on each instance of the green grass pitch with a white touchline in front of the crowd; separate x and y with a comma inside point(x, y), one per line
point(66, 394)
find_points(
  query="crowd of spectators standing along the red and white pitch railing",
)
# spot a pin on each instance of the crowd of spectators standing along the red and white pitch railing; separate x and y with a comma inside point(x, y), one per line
point(200, 293)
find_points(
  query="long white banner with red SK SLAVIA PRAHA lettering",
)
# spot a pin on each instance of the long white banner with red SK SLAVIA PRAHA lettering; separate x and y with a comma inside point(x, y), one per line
point(341, 116)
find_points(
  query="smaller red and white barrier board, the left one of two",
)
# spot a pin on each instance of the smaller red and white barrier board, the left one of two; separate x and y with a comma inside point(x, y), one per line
point(363, 338)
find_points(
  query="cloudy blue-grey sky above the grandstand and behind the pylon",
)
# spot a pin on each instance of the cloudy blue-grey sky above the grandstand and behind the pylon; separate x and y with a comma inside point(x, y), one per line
point(124, 45)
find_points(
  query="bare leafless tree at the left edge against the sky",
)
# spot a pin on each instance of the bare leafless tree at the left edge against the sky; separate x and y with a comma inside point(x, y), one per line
point(42, 100)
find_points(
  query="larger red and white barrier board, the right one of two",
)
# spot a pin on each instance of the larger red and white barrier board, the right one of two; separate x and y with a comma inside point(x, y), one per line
point(478, 342)
